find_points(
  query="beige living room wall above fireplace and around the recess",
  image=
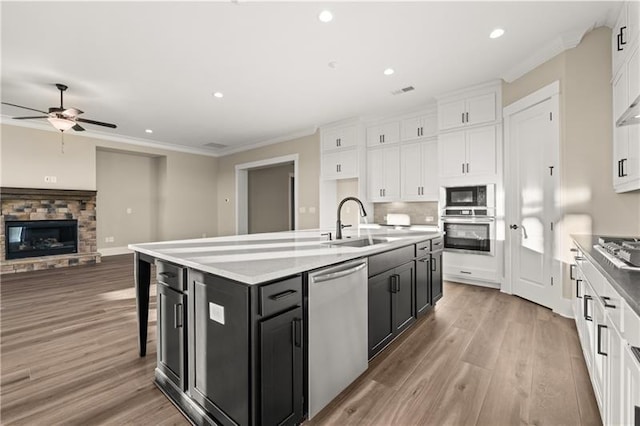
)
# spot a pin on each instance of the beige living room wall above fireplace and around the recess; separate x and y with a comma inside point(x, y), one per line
point(186, 184)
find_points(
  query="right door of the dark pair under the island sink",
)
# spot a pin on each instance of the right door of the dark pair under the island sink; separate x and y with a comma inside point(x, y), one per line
point(404, 297)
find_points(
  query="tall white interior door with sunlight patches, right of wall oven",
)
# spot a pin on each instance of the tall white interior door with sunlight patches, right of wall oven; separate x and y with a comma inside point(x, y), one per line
point(533, 140)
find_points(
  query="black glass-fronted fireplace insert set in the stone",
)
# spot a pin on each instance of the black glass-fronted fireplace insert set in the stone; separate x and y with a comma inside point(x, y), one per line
point(34, 238)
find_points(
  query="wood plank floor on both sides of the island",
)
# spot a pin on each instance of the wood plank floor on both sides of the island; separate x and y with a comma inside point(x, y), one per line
point(69, 356)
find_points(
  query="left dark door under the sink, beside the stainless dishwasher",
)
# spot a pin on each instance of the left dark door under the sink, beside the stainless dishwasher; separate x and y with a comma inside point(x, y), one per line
point(381, 324)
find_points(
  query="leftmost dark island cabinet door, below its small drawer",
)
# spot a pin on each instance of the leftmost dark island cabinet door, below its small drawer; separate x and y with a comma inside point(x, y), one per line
point(171, 334)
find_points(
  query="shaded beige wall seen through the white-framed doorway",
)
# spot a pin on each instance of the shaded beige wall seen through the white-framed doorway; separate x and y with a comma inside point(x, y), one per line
point(268, 199)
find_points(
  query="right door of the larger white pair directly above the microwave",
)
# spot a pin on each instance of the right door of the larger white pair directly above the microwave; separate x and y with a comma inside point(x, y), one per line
point(481, 151)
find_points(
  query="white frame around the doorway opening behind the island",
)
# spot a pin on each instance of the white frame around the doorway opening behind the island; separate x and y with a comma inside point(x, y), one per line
point(242, 188)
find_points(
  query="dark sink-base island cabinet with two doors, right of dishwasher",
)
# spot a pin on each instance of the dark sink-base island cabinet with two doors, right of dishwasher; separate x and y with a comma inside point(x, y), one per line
point(391, 305)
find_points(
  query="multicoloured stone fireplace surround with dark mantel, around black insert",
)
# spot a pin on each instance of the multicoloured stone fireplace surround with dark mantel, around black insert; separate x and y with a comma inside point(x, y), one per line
point(50, 204)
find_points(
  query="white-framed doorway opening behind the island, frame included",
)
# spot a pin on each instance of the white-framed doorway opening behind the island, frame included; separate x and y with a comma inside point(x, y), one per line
point(267, 195)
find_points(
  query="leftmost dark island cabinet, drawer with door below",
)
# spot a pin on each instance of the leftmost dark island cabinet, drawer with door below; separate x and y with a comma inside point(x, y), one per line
point(172, 322)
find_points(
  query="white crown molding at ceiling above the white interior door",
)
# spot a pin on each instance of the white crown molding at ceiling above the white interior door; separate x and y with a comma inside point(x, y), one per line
point(566, 41)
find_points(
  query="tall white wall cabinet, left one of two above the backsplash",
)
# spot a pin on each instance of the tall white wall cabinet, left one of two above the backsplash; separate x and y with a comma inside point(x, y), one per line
point(383, 174)
